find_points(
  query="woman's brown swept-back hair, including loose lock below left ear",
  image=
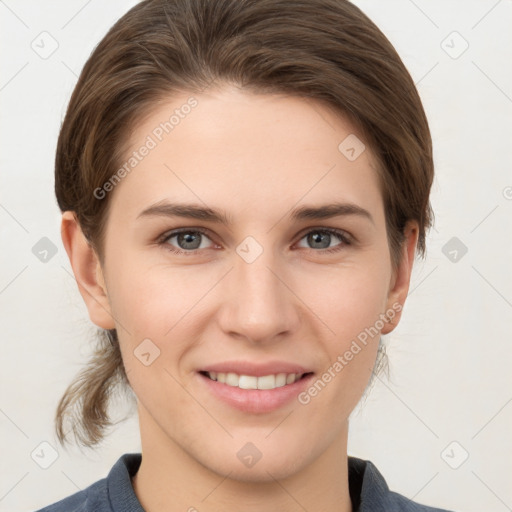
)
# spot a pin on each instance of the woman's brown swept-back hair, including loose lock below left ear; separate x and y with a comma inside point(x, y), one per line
point(321, 50)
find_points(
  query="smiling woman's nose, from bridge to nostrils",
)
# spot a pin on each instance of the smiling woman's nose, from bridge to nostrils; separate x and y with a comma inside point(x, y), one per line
point(258, 303)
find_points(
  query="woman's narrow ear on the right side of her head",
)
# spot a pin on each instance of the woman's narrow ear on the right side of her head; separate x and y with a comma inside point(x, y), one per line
point(401, 278)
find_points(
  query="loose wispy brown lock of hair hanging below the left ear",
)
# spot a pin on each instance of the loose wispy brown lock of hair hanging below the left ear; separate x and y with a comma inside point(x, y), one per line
point(83, 409)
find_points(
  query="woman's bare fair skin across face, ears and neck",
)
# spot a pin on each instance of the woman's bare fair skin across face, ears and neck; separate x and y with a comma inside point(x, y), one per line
point(257, 157)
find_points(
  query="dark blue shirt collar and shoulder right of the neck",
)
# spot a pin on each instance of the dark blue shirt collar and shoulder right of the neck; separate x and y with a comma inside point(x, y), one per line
point(372, 493)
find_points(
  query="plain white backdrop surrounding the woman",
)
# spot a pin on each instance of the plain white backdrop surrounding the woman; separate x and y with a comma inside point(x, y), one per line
point(451, 355)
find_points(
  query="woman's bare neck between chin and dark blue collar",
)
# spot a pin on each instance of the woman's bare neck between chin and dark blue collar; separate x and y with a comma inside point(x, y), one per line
point(169, 479)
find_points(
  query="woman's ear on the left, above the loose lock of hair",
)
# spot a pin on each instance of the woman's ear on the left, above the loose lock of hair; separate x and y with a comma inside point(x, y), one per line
point(87, 270)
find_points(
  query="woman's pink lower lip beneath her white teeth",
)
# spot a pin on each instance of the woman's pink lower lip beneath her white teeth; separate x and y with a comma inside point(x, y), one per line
point(256, 400)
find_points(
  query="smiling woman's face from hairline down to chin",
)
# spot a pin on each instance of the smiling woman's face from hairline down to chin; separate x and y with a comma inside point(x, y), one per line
point(279, 283)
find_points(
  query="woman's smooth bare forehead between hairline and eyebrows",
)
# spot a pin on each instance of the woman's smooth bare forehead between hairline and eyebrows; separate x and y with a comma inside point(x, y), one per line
point(246, 152)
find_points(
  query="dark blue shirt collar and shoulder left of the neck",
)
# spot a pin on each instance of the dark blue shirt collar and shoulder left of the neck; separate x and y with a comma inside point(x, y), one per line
point(111, 494)
